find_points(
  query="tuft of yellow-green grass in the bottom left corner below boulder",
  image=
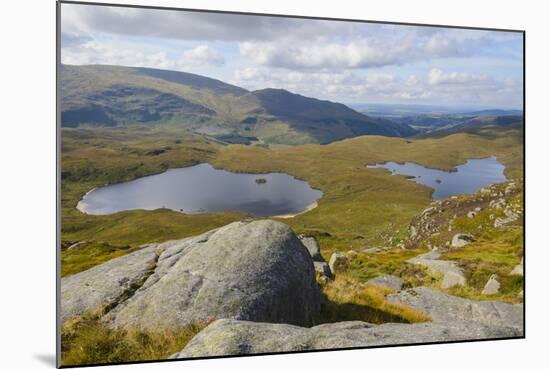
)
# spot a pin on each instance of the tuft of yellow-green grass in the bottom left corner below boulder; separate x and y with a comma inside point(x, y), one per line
point(87, 340)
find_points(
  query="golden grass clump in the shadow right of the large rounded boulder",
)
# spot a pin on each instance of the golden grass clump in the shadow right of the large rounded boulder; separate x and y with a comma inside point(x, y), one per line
point(347, 299)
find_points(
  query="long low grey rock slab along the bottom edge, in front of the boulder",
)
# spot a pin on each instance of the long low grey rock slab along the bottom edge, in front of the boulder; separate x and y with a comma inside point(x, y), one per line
point(232, 337)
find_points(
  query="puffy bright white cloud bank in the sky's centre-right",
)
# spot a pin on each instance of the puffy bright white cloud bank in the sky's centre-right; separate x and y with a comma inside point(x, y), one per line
point(397, 48)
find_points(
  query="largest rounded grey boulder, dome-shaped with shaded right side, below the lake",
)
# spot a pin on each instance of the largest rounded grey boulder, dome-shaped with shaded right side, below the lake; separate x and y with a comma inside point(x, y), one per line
point(257, 271)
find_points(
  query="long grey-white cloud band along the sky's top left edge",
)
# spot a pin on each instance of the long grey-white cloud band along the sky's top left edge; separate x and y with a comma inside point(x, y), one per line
point(189, 25)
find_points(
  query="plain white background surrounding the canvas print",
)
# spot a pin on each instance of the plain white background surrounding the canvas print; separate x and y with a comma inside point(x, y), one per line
point(27, 208)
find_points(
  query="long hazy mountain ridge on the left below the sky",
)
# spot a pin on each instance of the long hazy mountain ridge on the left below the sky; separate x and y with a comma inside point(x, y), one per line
point(101, 95)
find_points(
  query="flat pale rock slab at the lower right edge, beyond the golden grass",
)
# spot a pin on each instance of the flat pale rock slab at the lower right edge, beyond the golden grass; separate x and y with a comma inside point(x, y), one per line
point(444, 308)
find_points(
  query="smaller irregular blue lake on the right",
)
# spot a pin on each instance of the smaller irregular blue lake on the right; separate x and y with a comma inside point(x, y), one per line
point(468, 178)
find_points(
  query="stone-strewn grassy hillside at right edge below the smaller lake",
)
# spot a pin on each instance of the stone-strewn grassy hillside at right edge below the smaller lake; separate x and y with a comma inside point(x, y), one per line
point(496, 250)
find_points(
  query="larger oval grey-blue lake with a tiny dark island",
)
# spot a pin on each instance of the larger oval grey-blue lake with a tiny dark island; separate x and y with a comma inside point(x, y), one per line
point(203, 189)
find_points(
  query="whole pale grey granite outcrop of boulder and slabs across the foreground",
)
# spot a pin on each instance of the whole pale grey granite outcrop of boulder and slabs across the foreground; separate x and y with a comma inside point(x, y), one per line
point(256, 282)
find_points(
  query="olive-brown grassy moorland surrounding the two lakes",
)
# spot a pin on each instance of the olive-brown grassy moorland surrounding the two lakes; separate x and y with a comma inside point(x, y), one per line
point(360, 208)
